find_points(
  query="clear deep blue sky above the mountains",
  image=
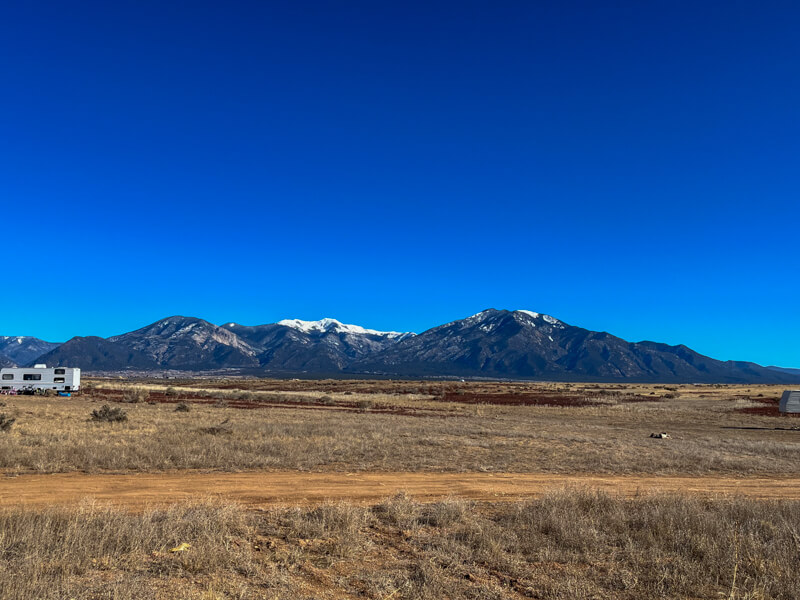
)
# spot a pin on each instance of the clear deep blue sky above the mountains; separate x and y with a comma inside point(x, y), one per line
point(631, 167)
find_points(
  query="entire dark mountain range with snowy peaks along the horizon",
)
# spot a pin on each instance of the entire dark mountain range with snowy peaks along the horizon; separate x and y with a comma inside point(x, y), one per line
point(517, 344)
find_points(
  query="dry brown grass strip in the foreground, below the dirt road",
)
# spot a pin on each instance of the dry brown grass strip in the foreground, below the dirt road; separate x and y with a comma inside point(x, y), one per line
point(570, 544)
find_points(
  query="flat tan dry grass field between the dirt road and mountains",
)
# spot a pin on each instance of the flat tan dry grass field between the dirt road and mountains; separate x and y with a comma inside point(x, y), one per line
point(344, 432)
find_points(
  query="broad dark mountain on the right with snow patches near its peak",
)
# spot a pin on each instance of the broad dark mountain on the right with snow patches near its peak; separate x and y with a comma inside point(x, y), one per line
point(500, 343)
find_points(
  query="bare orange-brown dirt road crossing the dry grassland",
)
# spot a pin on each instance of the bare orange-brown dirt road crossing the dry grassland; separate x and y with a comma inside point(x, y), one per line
point(136, 491)
